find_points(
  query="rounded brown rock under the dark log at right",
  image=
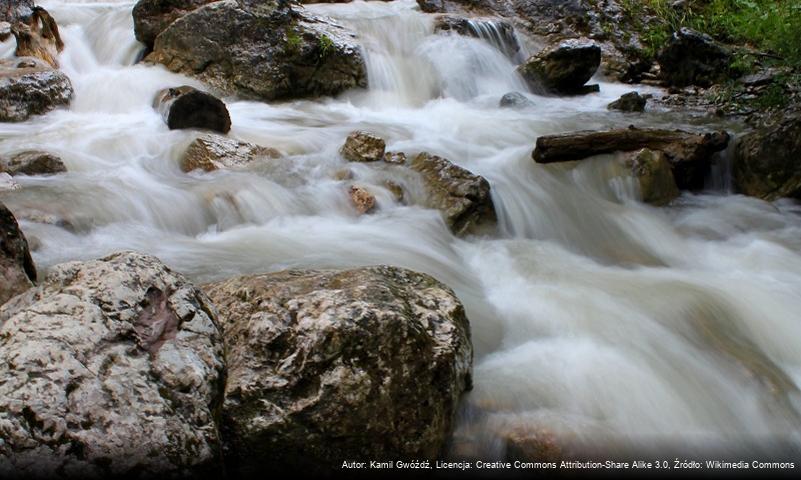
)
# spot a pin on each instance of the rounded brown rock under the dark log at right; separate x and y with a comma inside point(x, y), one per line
point(654, 173)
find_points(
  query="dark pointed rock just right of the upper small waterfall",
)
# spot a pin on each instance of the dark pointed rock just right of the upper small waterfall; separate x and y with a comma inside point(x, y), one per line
point(563, 69)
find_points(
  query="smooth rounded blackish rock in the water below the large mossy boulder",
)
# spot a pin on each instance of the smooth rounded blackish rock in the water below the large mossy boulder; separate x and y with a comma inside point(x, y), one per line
point(188, 107)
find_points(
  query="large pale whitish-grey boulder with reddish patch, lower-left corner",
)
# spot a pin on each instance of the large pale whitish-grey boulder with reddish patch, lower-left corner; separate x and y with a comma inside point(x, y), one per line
point(111, 369)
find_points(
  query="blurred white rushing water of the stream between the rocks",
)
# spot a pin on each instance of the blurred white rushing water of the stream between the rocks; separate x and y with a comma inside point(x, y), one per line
point(596, 318)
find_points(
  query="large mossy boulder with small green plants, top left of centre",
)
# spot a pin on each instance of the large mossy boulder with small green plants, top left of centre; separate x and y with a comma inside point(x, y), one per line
point(262, 49)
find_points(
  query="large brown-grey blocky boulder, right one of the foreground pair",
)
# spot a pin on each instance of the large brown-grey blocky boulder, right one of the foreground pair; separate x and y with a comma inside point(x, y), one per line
point(324, 366)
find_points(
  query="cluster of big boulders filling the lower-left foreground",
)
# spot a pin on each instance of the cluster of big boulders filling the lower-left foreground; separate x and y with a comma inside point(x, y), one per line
point(121, 367)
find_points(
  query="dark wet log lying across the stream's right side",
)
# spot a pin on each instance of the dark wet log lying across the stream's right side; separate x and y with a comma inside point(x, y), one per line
point(690, 154)
